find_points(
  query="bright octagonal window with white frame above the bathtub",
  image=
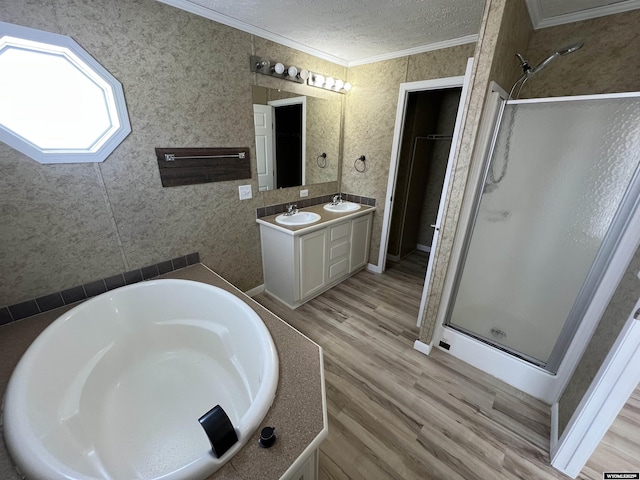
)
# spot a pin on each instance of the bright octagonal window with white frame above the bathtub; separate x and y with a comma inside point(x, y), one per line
point(57, 103)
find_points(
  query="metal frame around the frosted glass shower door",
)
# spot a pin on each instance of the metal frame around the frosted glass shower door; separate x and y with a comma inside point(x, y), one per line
point(629, 203)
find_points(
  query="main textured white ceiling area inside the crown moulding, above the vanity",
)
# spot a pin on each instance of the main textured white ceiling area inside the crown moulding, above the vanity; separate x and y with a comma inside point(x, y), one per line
point(356, 29)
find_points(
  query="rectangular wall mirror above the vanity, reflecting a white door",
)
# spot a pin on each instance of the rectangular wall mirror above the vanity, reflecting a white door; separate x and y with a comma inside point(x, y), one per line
point(297, 138)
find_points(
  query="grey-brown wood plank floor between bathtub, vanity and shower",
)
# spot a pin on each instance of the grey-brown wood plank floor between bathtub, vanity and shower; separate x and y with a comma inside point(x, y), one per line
point(395, 413)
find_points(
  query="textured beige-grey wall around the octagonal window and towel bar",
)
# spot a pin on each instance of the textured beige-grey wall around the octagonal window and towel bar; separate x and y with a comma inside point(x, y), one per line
point(187, 83)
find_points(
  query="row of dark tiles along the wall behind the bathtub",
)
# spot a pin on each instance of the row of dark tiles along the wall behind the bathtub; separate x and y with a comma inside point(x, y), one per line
point(22, 310)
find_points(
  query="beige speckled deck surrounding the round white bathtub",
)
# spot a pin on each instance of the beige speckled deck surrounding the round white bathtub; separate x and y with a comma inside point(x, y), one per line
point(298, 411)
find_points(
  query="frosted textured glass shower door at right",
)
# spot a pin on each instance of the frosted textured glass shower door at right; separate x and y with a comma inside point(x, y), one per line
point(546, 217)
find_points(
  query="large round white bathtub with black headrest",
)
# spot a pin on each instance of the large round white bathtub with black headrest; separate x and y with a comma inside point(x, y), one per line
point(114, 388)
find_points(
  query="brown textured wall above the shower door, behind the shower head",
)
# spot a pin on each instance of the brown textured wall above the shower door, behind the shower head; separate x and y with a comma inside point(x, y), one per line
point(607, 63)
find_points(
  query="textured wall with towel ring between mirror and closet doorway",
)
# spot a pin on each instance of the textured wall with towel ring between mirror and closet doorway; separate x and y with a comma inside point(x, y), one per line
point(369, 120)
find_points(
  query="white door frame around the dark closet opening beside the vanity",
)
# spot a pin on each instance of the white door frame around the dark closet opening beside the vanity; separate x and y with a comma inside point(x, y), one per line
point(403, 95)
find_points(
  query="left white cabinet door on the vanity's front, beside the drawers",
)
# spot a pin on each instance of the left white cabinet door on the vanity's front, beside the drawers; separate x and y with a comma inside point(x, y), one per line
point(313, 248)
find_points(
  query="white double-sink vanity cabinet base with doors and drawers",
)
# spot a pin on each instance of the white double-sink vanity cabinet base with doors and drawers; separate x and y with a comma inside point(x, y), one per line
point(298, 265)
